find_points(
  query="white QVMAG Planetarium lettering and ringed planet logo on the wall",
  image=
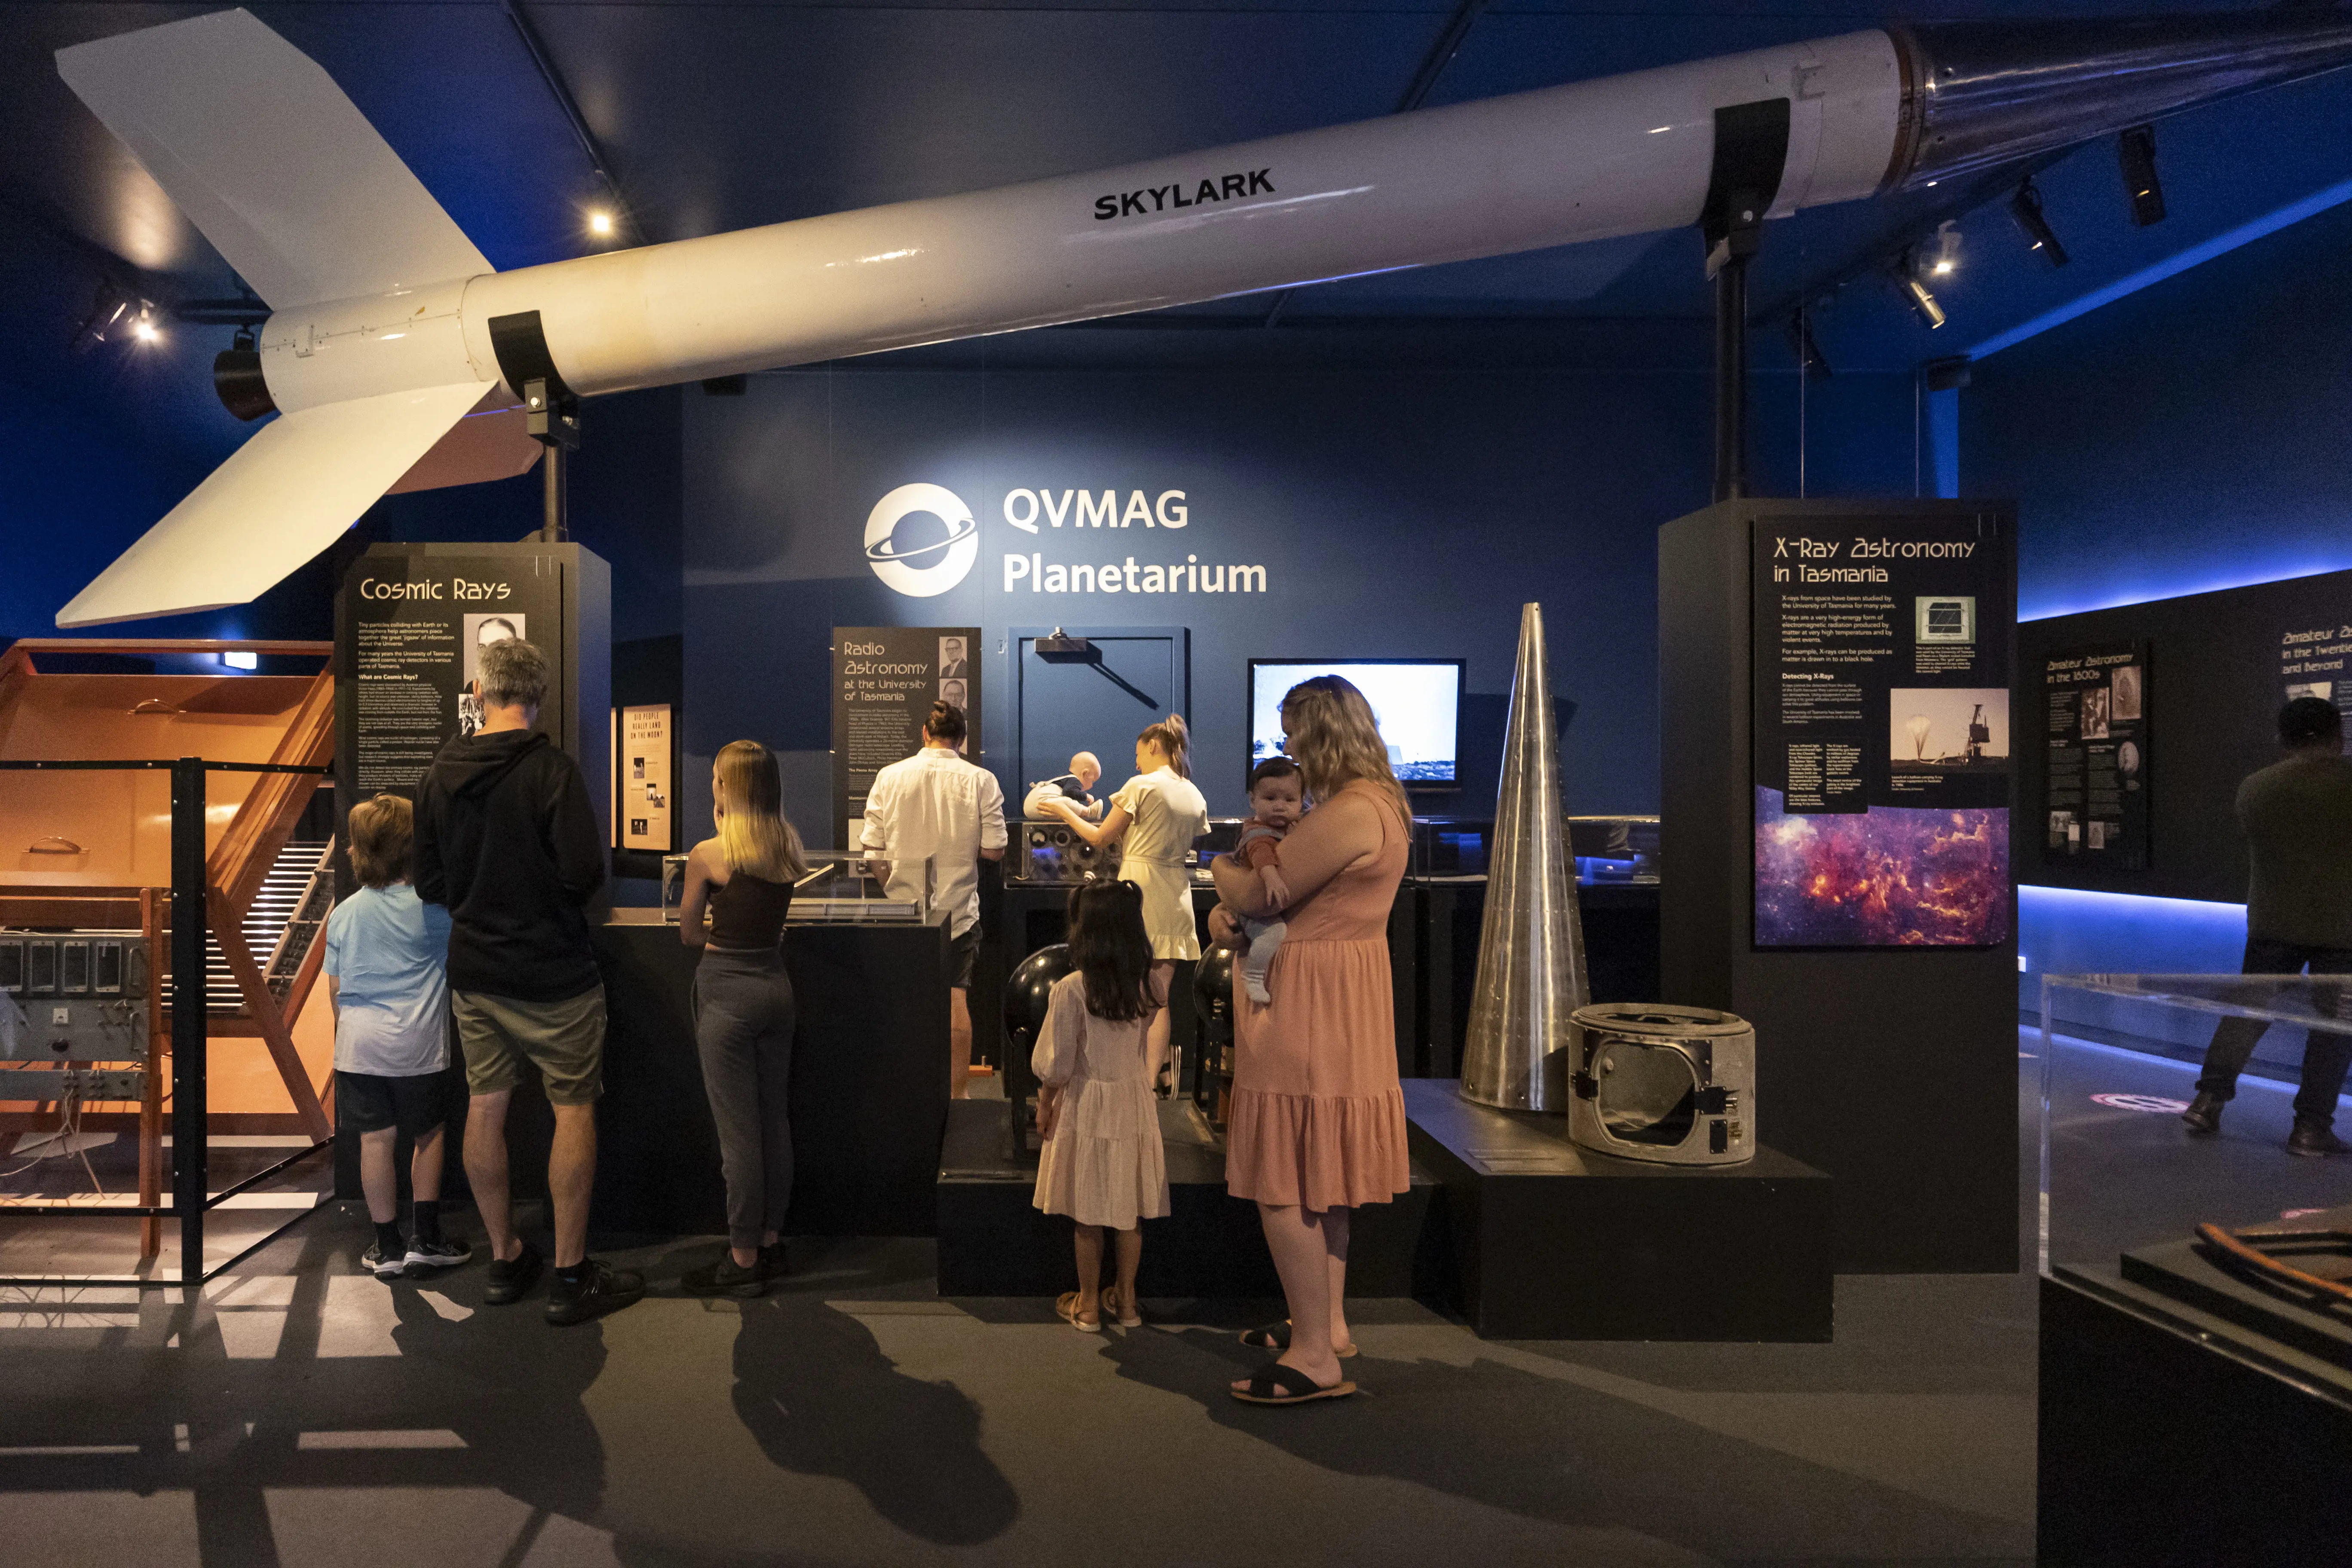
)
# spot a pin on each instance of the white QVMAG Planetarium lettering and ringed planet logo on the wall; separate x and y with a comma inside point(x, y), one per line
point(921, 540)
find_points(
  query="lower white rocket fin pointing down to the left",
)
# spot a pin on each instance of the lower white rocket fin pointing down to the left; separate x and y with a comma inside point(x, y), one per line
point(274, 504)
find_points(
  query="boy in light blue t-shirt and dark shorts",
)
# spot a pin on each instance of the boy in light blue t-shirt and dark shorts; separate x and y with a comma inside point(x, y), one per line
point(387, 956)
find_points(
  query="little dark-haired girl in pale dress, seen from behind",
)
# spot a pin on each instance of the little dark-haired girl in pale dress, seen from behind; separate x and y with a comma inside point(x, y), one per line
point(1102, 1160)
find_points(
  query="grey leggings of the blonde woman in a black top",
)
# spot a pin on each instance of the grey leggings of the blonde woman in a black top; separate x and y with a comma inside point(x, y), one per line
point(744, 1036)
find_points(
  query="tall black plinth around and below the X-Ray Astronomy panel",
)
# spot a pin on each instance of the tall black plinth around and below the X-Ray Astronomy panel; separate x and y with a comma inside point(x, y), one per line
point(1890, 1068)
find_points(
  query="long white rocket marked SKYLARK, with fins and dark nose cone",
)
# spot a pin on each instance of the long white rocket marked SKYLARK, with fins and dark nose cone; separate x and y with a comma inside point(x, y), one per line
point(389, 326)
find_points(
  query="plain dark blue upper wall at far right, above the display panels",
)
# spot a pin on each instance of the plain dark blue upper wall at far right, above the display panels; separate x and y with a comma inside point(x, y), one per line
point(2186, 438)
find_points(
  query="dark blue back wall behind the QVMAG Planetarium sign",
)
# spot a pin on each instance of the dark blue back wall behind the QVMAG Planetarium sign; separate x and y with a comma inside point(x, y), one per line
point(1394, 511)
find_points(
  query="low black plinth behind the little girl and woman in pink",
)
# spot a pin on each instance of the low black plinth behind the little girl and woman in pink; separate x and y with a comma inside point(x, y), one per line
point(994, 1242)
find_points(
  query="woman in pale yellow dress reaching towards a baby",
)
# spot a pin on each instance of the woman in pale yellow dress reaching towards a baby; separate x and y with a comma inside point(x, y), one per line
point(1154, 819)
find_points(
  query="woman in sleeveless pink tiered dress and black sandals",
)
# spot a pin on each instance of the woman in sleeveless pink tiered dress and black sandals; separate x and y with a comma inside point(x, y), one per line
point(1318, 1115)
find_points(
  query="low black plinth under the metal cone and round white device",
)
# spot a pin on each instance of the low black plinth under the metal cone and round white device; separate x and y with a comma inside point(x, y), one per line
point(1553, 1242)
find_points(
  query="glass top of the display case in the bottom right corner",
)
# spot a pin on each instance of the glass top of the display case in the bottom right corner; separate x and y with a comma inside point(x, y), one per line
point(2184, 1224)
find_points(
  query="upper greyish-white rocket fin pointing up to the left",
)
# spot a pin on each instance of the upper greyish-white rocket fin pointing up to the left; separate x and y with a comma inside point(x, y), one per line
point(269, 161)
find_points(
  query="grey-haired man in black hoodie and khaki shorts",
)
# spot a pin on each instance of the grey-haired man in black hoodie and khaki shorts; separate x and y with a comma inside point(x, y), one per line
point(507, 840)
